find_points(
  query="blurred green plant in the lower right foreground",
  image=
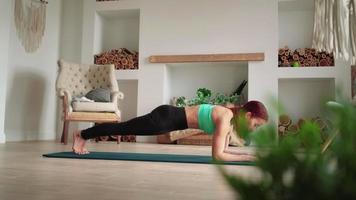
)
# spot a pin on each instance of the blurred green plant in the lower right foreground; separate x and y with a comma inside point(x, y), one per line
point(296, 167)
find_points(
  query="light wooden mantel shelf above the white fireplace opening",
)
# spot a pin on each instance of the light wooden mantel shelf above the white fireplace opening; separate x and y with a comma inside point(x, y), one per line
point(207, 58)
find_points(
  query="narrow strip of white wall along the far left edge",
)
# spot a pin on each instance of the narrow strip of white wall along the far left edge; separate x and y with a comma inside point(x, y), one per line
point(4, 54)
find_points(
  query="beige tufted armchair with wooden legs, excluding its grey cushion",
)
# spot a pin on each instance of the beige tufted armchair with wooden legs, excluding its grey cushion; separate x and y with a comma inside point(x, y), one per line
point(75, 80)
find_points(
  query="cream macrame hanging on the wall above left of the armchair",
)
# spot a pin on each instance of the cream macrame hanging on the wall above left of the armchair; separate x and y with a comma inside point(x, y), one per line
point(30, 22)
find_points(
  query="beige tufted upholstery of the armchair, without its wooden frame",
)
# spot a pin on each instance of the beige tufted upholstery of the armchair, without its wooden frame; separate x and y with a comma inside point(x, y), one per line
point(78, 79)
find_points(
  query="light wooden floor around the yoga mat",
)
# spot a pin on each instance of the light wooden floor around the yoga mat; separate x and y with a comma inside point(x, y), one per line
point(25, 174)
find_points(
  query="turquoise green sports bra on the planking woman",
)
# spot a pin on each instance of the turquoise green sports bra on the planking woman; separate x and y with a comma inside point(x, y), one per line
point(205, 120)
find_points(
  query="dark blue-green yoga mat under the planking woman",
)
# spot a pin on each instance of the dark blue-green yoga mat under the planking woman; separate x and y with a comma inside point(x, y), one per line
point(150, 157)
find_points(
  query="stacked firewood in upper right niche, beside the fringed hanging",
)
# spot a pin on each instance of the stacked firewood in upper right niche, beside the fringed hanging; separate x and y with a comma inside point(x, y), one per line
point(304, 57)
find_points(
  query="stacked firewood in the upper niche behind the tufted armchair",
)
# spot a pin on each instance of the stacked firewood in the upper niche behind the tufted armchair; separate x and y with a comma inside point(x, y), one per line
point(122, 58)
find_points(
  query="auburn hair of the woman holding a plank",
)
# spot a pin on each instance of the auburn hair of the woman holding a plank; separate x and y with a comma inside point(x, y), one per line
point(256, 108)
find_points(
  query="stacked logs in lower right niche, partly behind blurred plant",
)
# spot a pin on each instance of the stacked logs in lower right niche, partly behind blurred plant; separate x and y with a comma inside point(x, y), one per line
point(286, 126)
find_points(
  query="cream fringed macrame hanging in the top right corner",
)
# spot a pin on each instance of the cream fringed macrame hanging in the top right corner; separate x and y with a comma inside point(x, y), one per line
point(335, 28)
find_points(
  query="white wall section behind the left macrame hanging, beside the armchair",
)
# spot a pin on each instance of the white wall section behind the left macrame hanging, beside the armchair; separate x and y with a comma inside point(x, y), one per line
point(31, 96)
